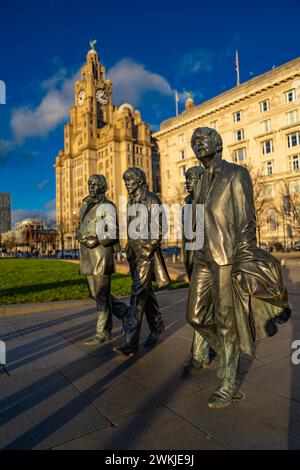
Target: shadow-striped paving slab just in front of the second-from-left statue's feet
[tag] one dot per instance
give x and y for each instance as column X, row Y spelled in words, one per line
column 116, row 390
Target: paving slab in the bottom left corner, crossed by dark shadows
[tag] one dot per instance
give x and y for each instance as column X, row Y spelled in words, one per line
column 42, row 409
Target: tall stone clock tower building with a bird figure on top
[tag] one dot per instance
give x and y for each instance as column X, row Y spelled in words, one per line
column 100, row 138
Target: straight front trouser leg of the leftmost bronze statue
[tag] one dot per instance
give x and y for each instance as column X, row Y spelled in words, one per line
column 100, row 291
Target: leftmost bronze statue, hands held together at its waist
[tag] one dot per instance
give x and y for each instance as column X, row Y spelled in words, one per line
column 98, row 237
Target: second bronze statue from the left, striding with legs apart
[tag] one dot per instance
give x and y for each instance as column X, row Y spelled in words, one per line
column 145, row 260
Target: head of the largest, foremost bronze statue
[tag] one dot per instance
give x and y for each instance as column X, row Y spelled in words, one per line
column 206, row 143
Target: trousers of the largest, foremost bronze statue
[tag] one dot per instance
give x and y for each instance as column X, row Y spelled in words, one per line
column 211, row 285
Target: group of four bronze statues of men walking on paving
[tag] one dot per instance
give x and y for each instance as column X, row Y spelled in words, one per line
column 236, row 294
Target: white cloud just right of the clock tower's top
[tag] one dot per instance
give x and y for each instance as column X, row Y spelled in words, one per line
column 131, row 81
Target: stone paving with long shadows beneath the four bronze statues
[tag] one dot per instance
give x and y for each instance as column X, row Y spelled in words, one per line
column 63, row 395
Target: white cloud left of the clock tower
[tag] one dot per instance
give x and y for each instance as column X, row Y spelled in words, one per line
column 52, row 110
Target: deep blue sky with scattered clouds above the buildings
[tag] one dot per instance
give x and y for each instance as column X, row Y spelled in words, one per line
column 148, row 48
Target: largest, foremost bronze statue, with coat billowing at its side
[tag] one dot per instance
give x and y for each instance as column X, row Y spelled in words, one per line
column 242, row 282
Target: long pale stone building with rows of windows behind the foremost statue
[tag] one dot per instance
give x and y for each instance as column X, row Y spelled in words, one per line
column 259, row 122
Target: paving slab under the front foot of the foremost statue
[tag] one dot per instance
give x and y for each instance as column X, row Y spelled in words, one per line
column 261, row 421
